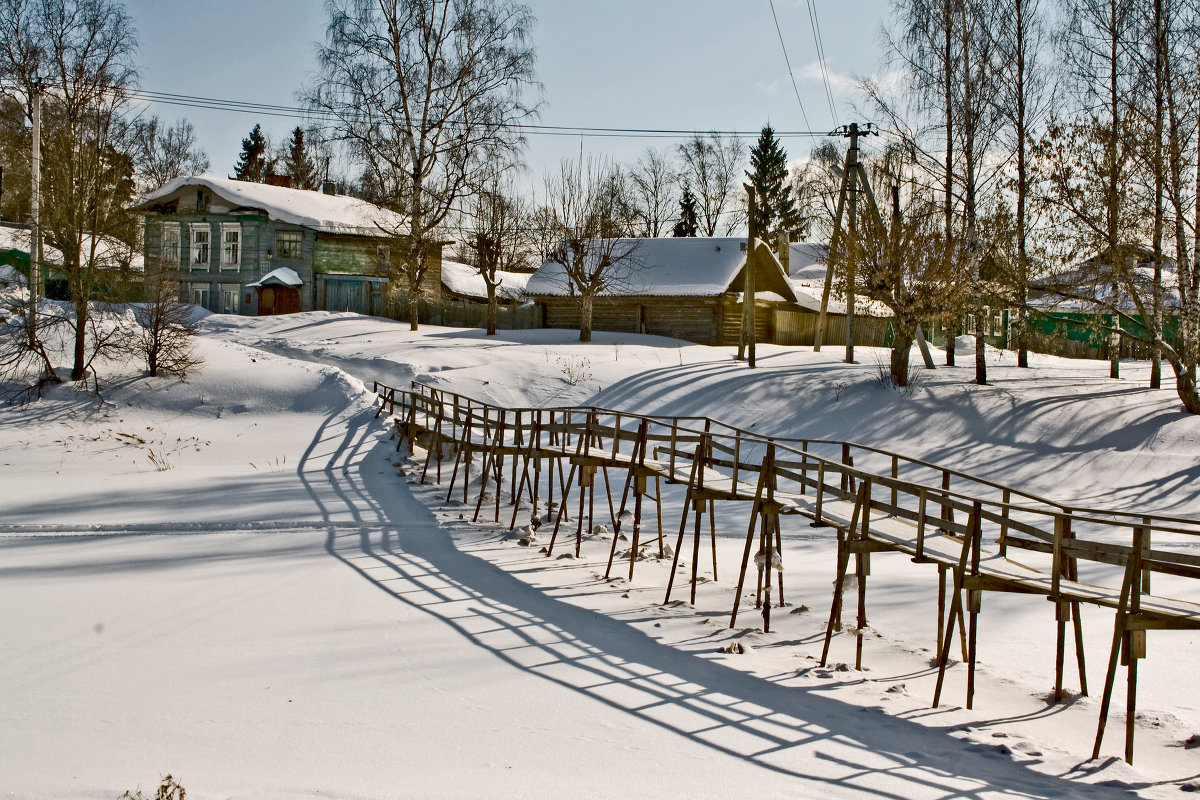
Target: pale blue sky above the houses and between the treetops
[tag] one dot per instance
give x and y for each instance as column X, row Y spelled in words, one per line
column 645, row 64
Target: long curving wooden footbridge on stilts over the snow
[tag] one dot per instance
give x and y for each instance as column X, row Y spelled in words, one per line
column 873, row 501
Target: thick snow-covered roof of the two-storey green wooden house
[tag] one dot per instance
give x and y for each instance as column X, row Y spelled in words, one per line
column 326, row 213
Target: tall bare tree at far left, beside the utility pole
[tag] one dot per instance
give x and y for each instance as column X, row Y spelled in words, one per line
column 79, row 55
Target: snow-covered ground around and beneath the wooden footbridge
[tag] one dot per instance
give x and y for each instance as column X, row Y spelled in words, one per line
column 236, row 580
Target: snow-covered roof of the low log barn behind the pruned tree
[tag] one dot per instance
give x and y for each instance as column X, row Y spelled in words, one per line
column 674, row 268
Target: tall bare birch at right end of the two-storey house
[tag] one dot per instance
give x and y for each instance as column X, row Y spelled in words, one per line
column 428, row 95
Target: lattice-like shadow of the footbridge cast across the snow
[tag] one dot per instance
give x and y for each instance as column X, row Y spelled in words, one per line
column 788, row 730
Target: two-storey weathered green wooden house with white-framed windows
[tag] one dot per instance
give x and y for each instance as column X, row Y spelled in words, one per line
column 223, row 236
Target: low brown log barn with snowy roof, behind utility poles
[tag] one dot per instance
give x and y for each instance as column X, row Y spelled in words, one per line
column 685, row 288
